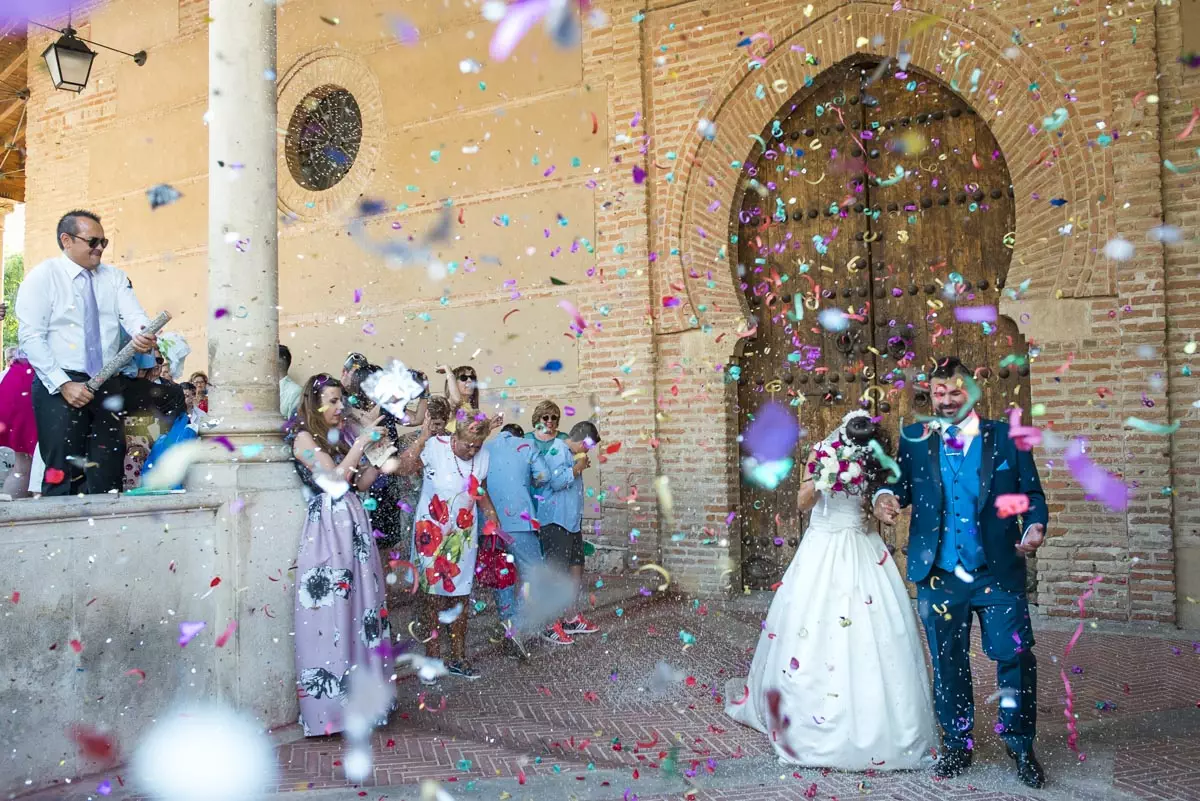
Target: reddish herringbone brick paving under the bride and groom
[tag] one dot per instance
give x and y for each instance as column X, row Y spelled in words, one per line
column 586, row 722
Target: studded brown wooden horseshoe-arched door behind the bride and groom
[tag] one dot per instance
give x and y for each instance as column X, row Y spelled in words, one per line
column 884, row 195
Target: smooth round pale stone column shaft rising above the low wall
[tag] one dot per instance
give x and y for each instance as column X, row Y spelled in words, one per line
column 243, row 225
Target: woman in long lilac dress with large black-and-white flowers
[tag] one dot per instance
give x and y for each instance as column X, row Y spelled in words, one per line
column 341, row 619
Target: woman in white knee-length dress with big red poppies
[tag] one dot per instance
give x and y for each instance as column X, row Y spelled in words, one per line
column 454, row 495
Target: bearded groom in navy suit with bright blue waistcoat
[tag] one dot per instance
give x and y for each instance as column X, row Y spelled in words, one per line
column 967, row 559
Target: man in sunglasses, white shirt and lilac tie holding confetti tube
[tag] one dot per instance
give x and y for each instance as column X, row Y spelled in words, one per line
column 71, row 311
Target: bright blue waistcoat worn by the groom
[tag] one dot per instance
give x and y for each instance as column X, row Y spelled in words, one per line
column 962, row 540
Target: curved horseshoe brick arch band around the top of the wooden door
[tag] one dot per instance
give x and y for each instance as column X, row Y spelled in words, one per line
column 745, row 103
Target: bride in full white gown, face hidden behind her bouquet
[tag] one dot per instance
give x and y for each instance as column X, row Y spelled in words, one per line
column 839, row 677
